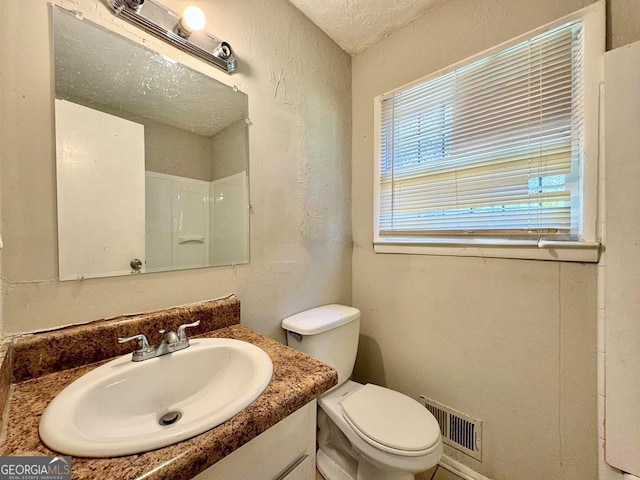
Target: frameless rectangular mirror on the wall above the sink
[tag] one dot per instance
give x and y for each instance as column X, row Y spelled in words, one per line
column 151, row 158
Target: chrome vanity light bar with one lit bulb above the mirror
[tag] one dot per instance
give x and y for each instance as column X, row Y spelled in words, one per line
column 182, row 31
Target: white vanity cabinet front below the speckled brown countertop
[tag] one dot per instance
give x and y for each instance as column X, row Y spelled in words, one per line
column 286, row 451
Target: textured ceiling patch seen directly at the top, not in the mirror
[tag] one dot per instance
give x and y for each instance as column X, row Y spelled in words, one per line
column 358, row 24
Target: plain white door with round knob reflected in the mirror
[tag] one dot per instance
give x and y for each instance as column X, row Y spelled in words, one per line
column 101, row 202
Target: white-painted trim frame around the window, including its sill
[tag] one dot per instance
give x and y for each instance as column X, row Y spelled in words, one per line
column 588, row 249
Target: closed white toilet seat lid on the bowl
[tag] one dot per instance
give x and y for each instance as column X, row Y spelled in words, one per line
column 391, row 419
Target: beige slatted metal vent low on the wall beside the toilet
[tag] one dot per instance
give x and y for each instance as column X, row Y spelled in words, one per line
column 458, row 430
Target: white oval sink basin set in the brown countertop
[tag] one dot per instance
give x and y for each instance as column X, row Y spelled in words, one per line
column 117, row 408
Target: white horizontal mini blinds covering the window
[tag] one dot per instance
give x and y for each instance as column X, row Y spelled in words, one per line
column 493, row 149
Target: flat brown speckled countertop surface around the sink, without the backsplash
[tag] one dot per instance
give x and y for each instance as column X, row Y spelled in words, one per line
column 297, row 380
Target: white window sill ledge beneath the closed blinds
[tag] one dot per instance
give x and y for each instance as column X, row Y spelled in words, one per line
column 588, row 252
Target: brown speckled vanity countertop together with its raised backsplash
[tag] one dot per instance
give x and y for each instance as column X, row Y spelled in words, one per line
column 297, row 380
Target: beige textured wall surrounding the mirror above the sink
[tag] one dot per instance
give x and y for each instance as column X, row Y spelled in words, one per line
column 298, row 82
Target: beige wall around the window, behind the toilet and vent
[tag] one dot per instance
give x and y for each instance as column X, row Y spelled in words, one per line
column 510, row 342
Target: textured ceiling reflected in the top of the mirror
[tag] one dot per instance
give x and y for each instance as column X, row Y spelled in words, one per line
column 103, row 68
